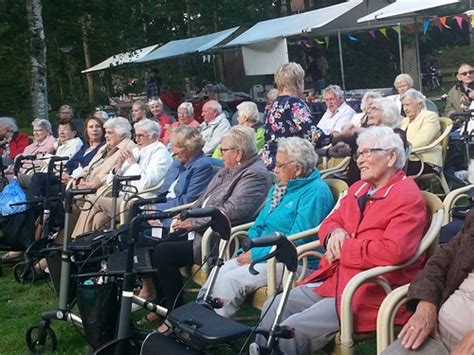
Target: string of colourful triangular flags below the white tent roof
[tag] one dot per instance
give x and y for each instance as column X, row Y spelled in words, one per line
column 424, row 26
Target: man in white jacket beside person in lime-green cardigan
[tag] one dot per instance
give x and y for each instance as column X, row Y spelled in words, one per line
column 215, row 125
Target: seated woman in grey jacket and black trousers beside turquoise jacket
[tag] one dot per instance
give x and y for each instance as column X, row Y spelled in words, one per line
column 239, row 190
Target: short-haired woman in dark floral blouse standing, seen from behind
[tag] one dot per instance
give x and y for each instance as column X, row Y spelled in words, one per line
column 289, row 115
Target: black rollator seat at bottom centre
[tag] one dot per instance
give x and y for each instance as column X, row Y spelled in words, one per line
column 205, row 327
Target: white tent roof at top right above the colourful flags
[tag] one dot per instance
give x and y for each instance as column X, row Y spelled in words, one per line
column 407, row 8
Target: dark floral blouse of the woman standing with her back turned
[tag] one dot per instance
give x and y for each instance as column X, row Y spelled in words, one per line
column 288, row 117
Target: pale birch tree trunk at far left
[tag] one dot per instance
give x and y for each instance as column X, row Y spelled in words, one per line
column 39, row 88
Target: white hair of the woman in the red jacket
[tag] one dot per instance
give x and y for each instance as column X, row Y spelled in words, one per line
column 384, row 138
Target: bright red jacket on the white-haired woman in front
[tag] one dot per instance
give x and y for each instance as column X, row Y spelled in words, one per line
column 389, row 233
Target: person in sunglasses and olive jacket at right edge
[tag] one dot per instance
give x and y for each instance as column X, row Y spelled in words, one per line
column 461, row 95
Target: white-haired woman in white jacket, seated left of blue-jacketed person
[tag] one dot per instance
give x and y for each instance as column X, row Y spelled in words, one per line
column 150, row 159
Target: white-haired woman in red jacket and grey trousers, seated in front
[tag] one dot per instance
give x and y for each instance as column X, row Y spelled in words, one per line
column 380, row 222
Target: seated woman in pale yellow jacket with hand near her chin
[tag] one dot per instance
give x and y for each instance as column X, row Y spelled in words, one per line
column 422, row 127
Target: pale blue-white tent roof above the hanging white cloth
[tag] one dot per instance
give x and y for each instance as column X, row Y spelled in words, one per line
column 293, row 25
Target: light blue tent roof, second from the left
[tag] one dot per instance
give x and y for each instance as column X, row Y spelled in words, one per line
column 188, row 46
